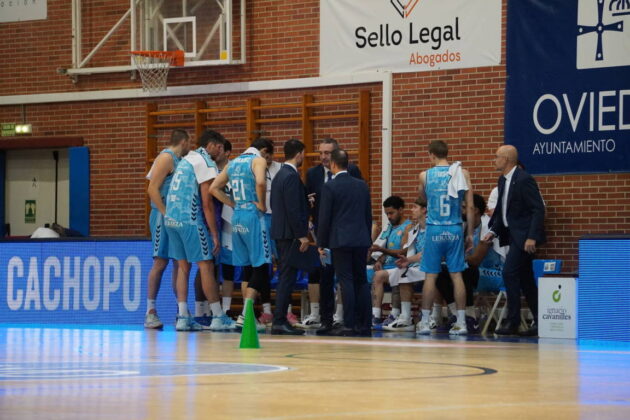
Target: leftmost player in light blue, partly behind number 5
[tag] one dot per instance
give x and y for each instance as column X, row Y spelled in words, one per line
column 160, row 177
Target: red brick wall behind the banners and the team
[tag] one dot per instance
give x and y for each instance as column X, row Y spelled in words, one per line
column 463, row 107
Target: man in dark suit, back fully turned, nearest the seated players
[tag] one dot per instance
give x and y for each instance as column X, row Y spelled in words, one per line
column 345, row 224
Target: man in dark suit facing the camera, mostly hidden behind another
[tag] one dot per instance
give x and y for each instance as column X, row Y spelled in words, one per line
column 316, row 177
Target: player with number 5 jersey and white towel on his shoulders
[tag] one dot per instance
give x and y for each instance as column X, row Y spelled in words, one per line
column 189, row 213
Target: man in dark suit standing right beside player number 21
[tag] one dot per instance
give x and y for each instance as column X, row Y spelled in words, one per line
column 289, row 223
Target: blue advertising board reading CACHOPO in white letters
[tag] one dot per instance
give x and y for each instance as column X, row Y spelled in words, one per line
column 82, row 282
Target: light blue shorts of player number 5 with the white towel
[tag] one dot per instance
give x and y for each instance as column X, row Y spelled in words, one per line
column 190, row 242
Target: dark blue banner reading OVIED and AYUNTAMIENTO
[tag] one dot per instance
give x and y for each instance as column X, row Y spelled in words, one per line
column 567, row 107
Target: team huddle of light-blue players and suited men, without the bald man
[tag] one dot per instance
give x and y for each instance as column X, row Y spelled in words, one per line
column 221, row 213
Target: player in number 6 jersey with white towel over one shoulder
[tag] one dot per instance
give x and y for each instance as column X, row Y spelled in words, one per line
column 444, row 187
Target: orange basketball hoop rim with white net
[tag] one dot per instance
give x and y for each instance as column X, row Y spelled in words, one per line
column 153, row 67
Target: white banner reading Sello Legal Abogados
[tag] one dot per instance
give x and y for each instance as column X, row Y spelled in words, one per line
column 408, row 35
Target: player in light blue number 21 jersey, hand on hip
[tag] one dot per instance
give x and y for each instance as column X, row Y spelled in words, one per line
column 246, row 176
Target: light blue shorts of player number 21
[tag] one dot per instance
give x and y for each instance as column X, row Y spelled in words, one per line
column 250, row 238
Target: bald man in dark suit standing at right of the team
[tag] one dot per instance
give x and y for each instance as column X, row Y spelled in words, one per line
column 518, row 222
